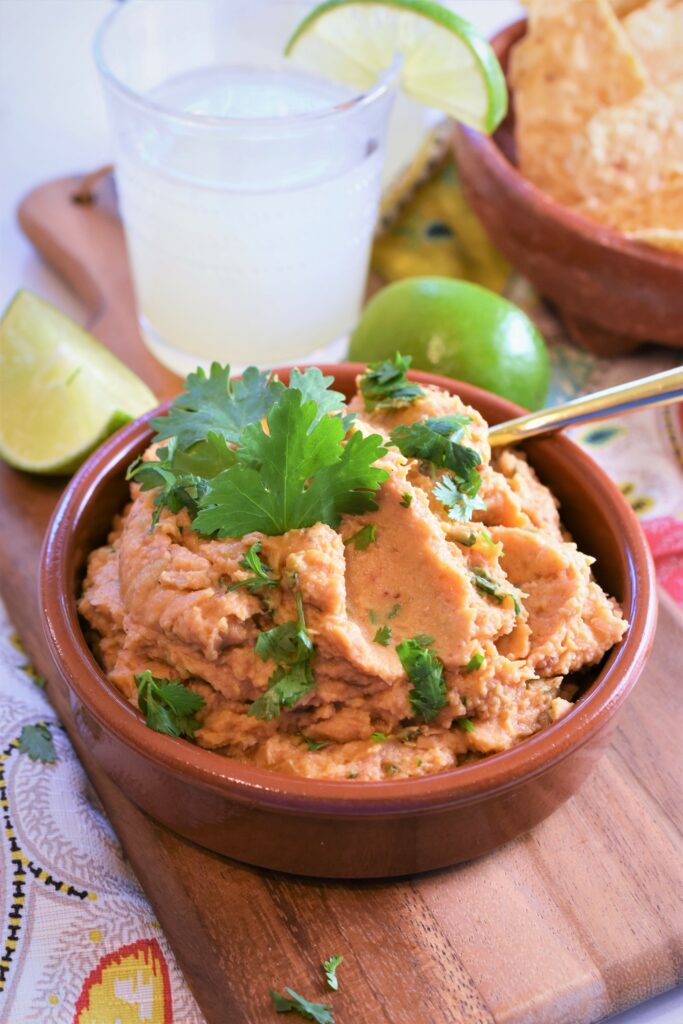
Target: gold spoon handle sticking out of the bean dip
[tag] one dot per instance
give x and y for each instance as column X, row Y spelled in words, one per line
column 660, row 390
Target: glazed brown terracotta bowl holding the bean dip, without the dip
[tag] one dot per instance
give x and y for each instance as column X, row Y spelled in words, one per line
column 350, row 830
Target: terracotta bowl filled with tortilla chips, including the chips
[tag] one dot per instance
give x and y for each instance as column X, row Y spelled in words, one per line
column 613, row 291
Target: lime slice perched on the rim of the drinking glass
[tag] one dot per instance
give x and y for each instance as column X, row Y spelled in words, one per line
column 446, row 63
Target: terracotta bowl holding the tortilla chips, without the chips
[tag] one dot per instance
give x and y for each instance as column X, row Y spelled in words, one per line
column 613, row 293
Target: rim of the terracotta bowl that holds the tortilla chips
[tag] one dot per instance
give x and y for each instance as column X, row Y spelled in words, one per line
column 591, row 232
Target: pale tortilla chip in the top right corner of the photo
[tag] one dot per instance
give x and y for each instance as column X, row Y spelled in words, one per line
column 657, row 34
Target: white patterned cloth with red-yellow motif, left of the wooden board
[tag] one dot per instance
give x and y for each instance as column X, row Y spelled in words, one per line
column 79, row 944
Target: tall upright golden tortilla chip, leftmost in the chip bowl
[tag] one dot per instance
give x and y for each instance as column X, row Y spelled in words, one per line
column 575, row 60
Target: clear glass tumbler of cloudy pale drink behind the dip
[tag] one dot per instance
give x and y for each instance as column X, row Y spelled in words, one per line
column 249, row 191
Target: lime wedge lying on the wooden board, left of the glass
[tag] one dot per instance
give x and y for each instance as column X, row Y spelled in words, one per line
column 62, row 394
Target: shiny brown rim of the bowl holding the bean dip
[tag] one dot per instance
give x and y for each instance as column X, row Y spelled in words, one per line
column 248, row 785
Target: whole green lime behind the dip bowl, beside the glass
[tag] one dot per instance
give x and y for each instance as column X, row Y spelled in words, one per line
column 459, row 330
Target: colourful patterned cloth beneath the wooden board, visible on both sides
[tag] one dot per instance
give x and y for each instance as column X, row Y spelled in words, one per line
column 80, row 944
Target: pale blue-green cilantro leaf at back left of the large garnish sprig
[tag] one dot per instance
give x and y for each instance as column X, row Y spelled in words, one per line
column 218, row 405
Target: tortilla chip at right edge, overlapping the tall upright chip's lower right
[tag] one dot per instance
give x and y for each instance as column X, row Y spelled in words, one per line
column 630, row 150
